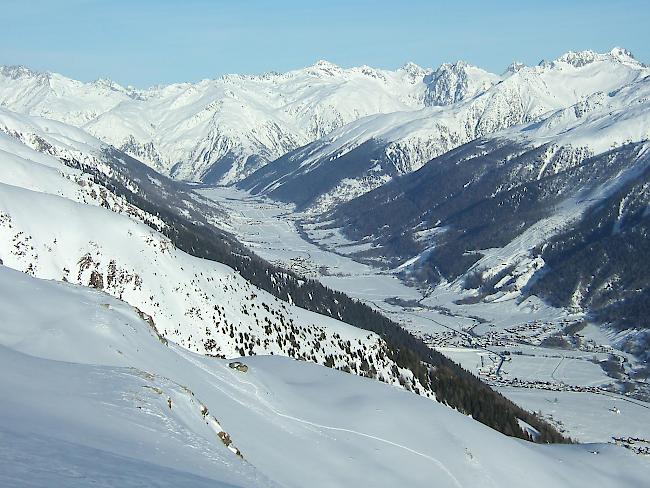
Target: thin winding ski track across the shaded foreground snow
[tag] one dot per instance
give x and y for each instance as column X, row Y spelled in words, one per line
column 276, row 412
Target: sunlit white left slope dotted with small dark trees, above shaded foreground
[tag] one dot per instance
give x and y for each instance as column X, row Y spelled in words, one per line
column 57, row 223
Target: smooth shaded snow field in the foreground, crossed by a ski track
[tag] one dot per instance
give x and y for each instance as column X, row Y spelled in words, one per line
column 92, row 396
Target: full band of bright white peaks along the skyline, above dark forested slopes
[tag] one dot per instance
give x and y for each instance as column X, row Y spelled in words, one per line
column 224, row 129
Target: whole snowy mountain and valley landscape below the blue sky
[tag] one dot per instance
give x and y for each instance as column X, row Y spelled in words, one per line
column 328, row 276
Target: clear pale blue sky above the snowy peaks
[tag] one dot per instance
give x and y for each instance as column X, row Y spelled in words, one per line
column 148, row 42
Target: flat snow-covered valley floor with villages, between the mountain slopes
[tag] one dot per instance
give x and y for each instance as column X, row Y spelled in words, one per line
column 570, row 388
